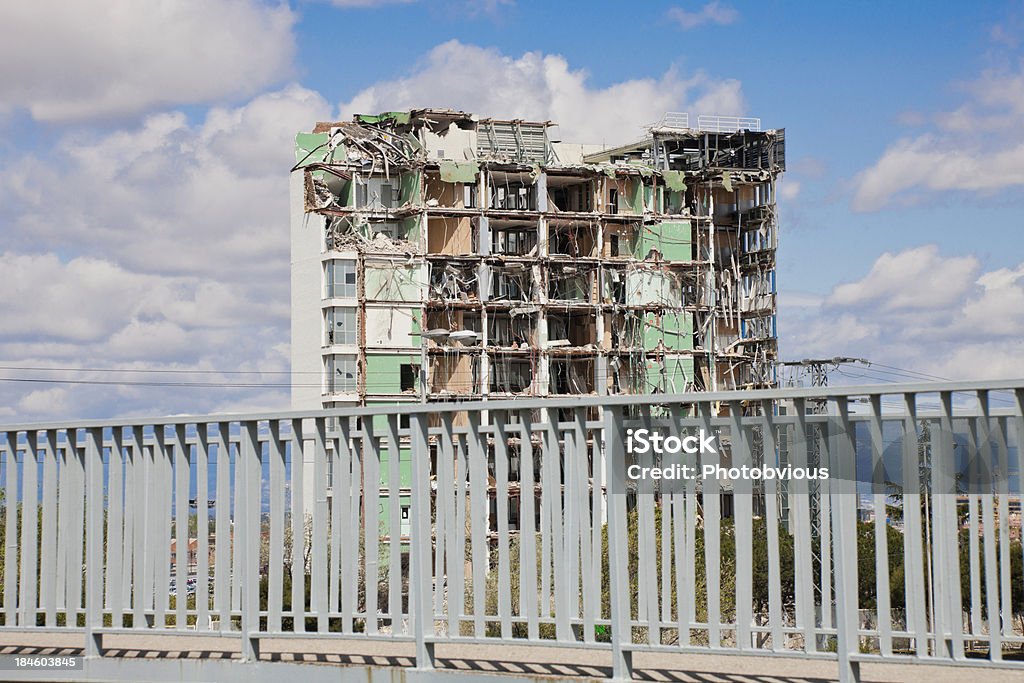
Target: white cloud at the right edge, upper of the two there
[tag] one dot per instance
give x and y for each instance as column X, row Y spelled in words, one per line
column 977, row 148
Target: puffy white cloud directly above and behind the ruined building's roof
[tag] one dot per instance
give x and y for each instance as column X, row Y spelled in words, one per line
column 543, row 88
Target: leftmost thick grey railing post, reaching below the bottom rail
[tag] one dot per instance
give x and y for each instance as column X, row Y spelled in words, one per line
column 94, row 541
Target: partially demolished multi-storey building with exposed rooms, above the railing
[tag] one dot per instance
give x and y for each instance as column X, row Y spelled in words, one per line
column 439, row 257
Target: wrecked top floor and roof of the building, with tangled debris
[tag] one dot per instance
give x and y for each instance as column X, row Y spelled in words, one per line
column 449, row 139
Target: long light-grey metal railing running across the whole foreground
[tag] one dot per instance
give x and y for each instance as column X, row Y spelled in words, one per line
column 519, row 523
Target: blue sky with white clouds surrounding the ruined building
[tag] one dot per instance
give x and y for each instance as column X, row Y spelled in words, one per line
column 145, row 151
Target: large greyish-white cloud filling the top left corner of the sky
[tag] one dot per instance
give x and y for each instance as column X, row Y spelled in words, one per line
column 111, row 59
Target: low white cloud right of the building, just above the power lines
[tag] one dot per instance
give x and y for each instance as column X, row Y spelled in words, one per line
column 917, row 310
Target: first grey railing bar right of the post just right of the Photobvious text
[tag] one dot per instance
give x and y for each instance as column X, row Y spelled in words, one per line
column 880, row 501
